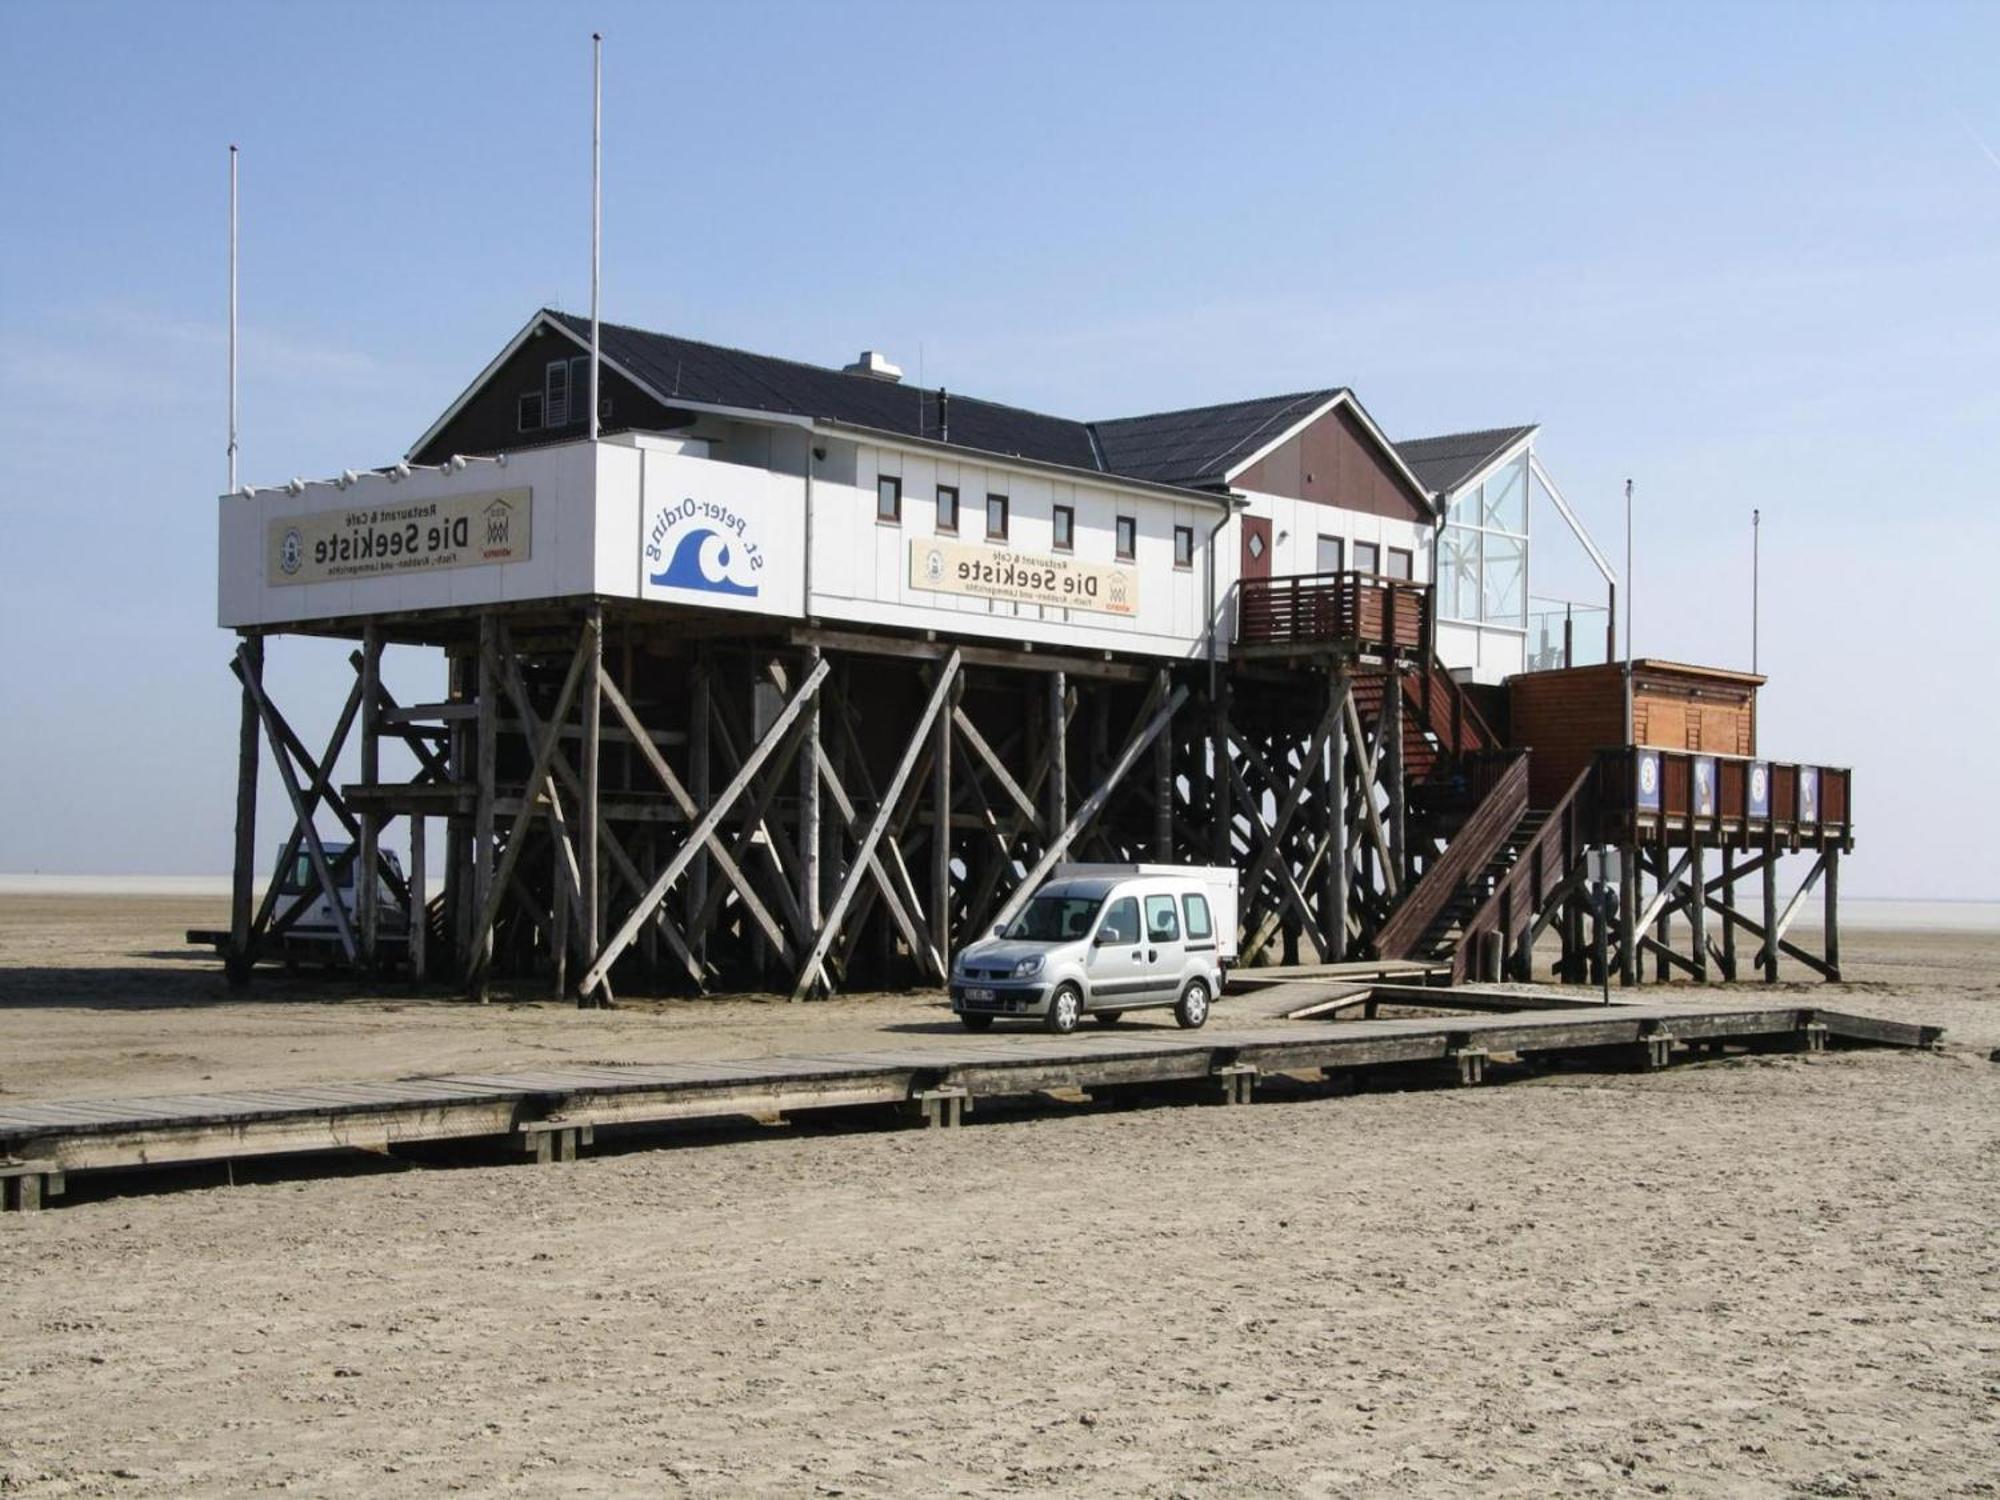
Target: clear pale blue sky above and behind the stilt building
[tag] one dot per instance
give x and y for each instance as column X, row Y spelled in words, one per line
column 1743, row 255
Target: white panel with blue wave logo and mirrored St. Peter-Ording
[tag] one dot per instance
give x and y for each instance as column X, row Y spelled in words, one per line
column 725, row 537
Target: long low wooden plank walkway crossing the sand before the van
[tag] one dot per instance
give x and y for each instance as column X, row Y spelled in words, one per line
column 551, row 1111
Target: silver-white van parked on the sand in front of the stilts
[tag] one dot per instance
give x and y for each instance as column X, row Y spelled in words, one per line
column 1101, row 941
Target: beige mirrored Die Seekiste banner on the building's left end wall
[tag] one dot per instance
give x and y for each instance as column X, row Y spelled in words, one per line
column 461, row 531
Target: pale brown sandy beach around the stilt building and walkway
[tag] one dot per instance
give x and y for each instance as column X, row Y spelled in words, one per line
column 1761, row 1277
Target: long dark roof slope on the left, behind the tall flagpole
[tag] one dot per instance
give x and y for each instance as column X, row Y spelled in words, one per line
column 761, row 383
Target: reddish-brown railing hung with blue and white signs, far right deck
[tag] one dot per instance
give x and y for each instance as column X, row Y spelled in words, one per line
column 1723, row 797
